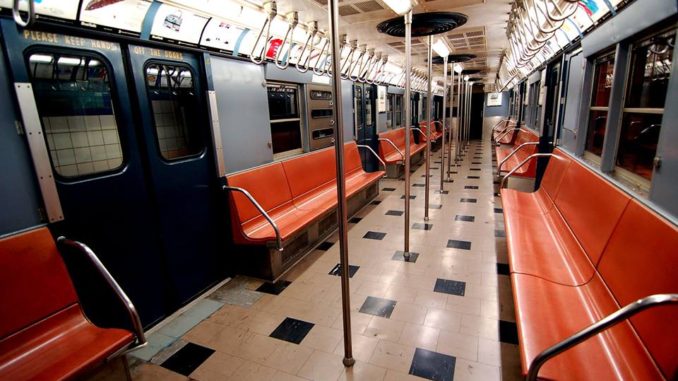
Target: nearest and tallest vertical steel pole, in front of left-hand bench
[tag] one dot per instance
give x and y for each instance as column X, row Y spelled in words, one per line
column 333, row 11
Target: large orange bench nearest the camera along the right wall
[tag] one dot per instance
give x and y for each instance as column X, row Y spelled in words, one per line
column 580, row 249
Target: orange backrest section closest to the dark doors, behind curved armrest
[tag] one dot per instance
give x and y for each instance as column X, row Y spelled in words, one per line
column 267, row 184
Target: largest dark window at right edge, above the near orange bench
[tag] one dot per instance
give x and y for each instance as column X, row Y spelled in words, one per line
column 646, row 93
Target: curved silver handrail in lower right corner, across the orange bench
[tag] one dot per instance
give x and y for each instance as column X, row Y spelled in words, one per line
column 607, row 322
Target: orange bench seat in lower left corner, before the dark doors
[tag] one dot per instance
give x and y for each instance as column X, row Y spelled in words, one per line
column 44, row 333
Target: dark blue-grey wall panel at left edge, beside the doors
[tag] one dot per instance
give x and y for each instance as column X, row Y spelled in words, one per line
column 18, row 189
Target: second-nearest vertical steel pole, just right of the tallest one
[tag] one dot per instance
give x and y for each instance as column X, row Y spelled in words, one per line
column 408, row 123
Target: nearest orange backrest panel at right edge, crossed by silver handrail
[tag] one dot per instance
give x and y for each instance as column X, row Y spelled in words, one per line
column 641, row 259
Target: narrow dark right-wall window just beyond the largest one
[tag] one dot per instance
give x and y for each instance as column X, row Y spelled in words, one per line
column 600, row 100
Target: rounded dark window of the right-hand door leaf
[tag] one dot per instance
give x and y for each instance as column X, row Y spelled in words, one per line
column 174, row 103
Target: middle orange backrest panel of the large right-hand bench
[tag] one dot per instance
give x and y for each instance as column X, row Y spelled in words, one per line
column 591, row 206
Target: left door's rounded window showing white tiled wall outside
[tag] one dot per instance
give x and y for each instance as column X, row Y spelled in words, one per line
column 74, row 101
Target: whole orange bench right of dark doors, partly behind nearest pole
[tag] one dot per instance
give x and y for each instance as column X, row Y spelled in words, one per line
column 294, row 192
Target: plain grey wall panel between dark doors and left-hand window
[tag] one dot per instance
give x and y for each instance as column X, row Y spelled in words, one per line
column 243, row 112
